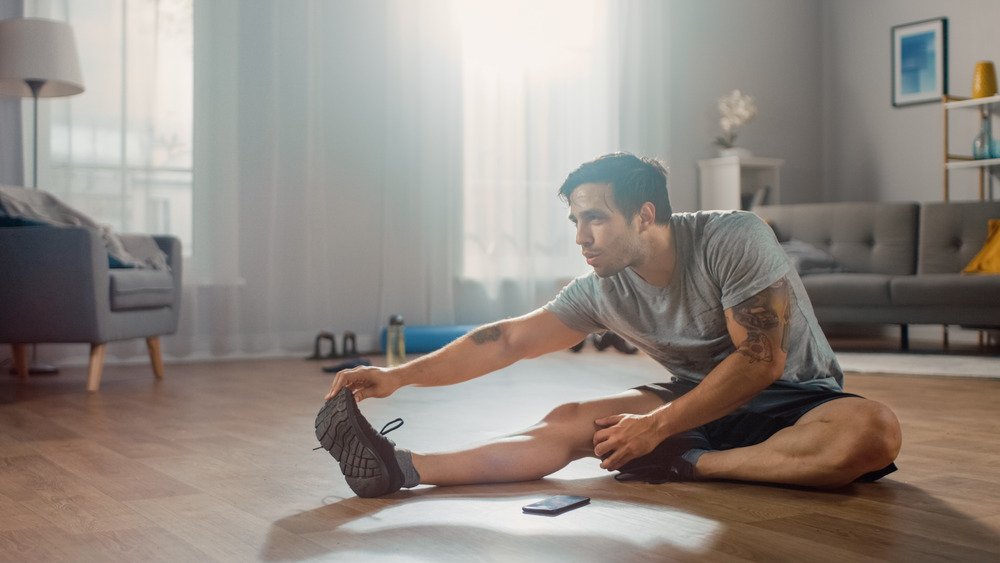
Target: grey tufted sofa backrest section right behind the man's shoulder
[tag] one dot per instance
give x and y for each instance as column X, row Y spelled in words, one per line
column 863, row 237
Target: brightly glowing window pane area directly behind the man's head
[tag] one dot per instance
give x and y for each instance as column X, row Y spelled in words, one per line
column 539, row 98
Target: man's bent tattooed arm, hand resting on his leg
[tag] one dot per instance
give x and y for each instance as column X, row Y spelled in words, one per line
column 759, row 330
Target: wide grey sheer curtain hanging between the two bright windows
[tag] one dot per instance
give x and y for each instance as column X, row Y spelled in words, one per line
column 327, row 163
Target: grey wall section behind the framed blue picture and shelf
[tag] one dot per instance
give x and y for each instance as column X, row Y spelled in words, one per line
column 873, row 151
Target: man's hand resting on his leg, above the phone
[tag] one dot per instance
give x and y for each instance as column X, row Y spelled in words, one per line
column 625, row 437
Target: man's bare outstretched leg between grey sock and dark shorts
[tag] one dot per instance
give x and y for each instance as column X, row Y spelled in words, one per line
column 564, row 435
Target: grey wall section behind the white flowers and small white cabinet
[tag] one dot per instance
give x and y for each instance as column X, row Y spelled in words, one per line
column 766, row 48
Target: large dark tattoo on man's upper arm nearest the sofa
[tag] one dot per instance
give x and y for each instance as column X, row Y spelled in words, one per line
column 760, row 316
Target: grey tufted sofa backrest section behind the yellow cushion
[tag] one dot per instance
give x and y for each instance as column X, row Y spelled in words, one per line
column 951, row 233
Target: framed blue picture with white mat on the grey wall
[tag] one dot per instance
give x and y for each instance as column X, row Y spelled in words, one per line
column 919, row 62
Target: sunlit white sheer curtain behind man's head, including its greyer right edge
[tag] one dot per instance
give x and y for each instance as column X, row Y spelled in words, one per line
column 546, row 86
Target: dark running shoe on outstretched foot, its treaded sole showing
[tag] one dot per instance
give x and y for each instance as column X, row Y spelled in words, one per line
column 367, row 458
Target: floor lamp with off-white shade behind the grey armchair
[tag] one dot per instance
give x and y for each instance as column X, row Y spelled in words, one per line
column 38, row 60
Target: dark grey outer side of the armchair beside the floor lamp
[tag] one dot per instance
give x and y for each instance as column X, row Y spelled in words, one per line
column 55, row 286
